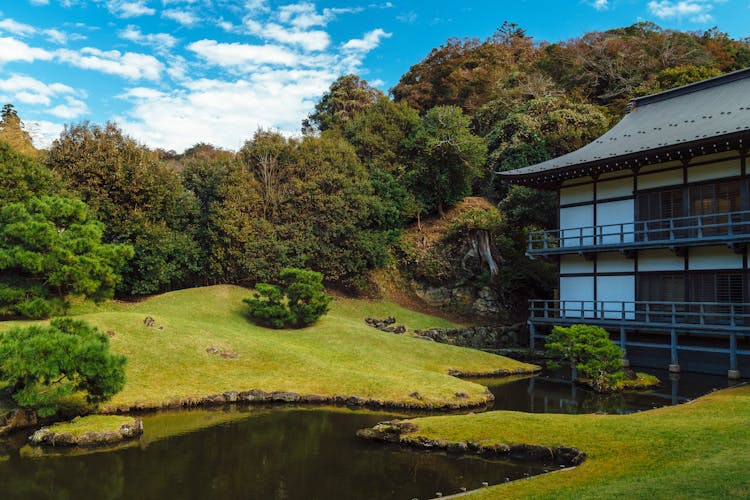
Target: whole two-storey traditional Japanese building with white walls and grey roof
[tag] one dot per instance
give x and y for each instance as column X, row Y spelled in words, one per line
column 653, row 229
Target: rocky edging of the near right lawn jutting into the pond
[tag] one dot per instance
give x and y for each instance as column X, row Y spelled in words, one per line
column 403, row 432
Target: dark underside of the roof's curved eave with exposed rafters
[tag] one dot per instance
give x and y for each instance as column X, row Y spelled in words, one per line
column 552, row 178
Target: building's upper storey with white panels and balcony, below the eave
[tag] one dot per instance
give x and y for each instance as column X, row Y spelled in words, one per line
column 671, row 205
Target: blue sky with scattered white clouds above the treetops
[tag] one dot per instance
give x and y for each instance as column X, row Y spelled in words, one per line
column 175, row 72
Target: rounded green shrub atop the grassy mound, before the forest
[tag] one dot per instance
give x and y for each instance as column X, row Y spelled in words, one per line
column 299, row 300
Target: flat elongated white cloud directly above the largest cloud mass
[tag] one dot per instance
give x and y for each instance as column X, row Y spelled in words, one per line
column 243, row 55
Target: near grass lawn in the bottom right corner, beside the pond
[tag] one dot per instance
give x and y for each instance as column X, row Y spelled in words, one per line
column 695, row 450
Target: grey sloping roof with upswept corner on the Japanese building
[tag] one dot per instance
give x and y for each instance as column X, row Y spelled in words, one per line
column 711, row 111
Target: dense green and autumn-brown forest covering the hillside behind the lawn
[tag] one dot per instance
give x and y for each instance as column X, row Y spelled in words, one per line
column 124, row 219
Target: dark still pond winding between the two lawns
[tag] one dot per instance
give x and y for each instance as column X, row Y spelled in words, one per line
column 290, row 453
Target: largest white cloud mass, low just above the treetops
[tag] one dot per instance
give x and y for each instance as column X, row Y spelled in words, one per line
column 224, row 113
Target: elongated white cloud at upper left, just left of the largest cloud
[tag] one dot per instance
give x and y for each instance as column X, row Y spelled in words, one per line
column 130, row 65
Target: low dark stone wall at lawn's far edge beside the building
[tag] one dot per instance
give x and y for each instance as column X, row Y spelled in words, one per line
column 479, row 337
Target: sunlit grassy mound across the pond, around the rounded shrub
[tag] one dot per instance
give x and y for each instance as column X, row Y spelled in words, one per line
column 339, row 355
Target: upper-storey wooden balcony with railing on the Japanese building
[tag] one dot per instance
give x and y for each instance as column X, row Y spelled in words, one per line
column 731, row 229
